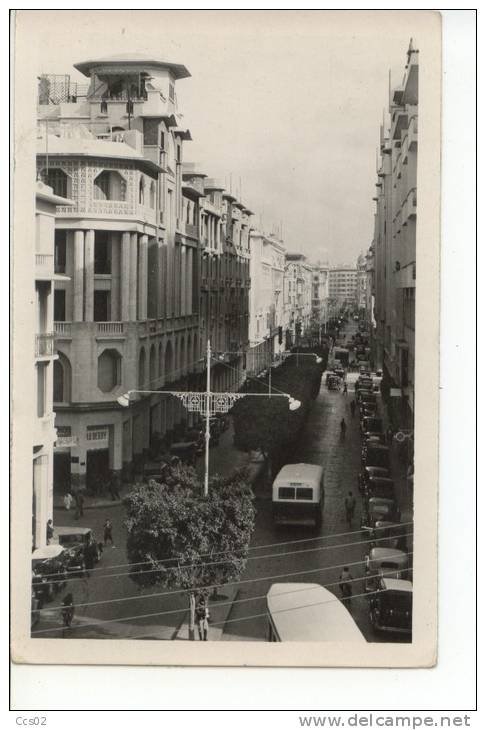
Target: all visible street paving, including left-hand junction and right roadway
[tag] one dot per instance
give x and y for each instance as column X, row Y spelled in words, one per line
column 109, row 604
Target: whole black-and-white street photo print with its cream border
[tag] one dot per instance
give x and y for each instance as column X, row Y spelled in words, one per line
column 226, row 304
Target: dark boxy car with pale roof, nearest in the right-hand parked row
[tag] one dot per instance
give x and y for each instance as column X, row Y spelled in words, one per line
column 391, row 606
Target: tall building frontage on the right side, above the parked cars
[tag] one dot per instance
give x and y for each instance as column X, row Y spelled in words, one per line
column 395, row 240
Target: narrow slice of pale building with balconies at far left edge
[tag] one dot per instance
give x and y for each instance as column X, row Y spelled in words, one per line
column 43, row 432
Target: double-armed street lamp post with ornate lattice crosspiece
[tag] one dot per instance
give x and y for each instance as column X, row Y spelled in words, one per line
column 207, row 404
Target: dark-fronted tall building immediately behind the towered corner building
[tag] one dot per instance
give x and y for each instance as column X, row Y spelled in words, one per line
column 225, row 283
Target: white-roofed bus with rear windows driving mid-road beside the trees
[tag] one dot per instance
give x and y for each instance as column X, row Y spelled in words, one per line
column 298, row 495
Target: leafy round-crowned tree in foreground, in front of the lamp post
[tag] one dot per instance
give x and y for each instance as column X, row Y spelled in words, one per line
column 181, row 539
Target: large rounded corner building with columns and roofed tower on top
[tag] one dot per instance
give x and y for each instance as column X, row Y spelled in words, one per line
column 128, row 317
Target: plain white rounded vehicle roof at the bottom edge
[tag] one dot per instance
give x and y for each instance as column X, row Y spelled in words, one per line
column 308, row 612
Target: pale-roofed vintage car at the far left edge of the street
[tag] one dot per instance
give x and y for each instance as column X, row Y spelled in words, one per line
column 49, row 570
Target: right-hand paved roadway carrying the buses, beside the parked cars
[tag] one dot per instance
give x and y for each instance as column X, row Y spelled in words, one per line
column 310, row 560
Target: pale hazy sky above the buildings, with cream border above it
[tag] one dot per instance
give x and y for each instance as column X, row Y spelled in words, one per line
column 288, row 102
